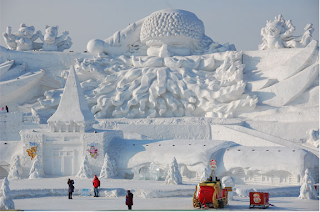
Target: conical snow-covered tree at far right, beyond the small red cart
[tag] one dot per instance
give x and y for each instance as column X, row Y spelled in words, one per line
column 307, row 190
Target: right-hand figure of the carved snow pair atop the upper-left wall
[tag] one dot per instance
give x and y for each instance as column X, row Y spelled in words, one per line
column 51, row 41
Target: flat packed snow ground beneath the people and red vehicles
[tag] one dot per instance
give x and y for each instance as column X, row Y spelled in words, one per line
column 51, row 194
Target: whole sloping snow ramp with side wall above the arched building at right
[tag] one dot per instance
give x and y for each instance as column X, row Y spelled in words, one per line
column 250, row 137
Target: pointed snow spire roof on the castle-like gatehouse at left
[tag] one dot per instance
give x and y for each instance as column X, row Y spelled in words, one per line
column 73, row 114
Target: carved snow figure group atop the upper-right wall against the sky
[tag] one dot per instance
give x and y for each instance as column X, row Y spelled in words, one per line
column 278, row 34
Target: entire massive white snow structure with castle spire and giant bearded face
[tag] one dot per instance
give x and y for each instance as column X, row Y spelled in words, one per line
column 162, row 89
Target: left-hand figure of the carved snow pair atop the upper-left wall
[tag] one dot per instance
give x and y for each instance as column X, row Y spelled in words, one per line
column 23, row 40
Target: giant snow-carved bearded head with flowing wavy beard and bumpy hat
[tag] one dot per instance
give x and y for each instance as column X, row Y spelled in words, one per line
column 163, row 66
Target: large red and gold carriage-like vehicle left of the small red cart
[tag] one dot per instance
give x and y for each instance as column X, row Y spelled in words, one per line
column 210, row 194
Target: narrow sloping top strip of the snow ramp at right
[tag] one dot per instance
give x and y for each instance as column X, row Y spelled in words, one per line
column 271, row 138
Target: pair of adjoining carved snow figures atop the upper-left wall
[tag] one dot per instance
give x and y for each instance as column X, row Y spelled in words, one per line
column 24, row 39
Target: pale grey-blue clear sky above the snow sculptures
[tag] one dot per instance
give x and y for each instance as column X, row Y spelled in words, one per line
column 235, row 21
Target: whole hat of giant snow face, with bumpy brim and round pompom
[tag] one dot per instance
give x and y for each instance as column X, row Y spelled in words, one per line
column 164, row 33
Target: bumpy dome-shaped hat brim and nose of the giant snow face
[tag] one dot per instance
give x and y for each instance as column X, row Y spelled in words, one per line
column 171, row 32
